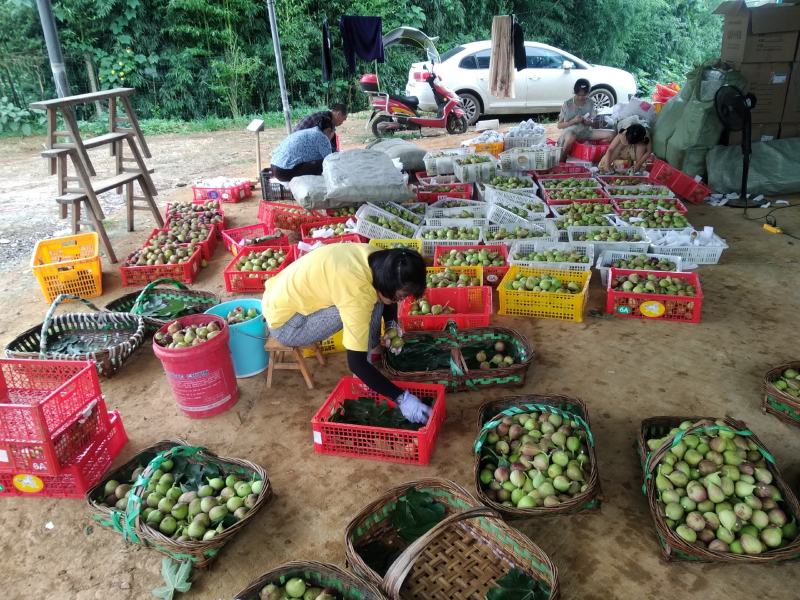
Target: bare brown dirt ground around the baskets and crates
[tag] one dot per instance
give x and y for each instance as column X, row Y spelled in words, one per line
column 624, row 370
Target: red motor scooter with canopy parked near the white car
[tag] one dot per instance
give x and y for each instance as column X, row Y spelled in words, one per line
column 392, row 113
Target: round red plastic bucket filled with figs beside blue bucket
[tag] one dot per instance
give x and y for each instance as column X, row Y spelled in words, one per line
column 201, row 377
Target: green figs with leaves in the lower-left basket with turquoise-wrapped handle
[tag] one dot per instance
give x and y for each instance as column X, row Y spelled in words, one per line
column 188, row 501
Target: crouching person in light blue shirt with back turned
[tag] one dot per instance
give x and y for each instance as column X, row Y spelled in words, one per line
column 301, row 153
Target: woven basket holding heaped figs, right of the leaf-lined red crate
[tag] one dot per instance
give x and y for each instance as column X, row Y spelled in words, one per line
column 489, row 416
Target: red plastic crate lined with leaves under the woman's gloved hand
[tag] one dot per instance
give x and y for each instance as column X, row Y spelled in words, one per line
column 378, row 443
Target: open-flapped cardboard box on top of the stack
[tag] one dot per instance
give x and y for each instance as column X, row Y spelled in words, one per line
column 762, row 34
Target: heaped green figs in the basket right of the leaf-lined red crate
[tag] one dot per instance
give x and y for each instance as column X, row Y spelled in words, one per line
column 535, row 459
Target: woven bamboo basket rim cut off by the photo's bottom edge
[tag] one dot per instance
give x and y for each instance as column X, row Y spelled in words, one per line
column 346, row 585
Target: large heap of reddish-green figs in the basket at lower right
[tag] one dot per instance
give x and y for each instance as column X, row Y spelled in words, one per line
column 716, row 490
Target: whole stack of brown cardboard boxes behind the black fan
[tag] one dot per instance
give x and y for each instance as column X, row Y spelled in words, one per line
column 762, row 43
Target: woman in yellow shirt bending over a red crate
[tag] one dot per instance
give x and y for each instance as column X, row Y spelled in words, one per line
column 348, row 287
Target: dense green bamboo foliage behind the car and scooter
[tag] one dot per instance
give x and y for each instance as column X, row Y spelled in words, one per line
column 194, row 59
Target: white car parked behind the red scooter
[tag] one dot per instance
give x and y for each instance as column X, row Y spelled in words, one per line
column 542, row 87
